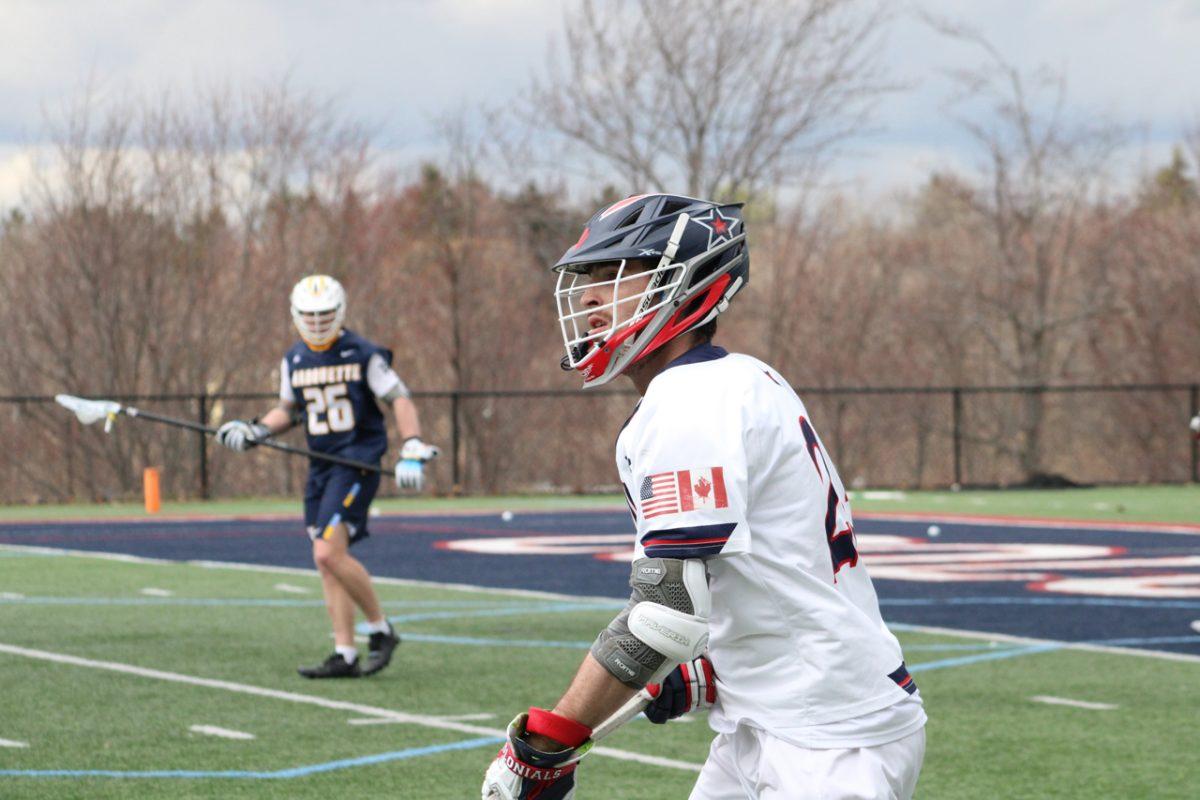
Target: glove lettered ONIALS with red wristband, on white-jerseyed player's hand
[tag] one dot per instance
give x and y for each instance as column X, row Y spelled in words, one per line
column 520, row 772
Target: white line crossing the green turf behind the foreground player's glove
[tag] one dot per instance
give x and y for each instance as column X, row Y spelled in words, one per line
column 310, row 700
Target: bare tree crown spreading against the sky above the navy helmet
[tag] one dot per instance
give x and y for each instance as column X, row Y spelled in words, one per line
column 715, row 97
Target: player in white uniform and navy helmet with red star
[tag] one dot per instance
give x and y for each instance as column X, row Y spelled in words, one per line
column 745, row 539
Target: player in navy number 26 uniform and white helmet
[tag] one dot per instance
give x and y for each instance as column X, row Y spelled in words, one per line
column 331, row 380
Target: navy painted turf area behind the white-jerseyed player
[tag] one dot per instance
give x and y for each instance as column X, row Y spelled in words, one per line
column 406, row 548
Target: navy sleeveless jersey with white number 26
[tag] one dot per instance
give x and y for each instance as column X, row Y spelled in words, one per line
column 340, row 412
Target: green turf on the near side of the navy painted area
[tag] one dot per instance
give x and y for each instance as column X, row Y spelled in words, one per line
column 469, row 654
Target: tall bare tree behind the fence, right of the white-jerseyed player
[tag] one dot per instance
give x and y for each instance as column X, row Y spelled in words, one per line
column 1036, row 273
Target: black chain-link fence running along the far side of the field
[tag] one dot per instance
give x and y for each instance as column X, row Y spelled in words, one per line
column 562, row 442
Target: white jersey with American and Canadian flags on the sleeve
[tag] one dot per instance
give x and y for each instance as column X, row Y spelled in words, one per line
column 721, row 462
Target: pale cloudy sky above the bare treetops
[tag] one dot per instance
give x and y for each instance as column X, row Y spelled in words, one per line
column 399, row 64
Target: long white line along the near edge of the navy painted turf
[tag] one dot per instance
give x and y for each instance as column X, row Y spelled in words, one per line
column 550, row 596
